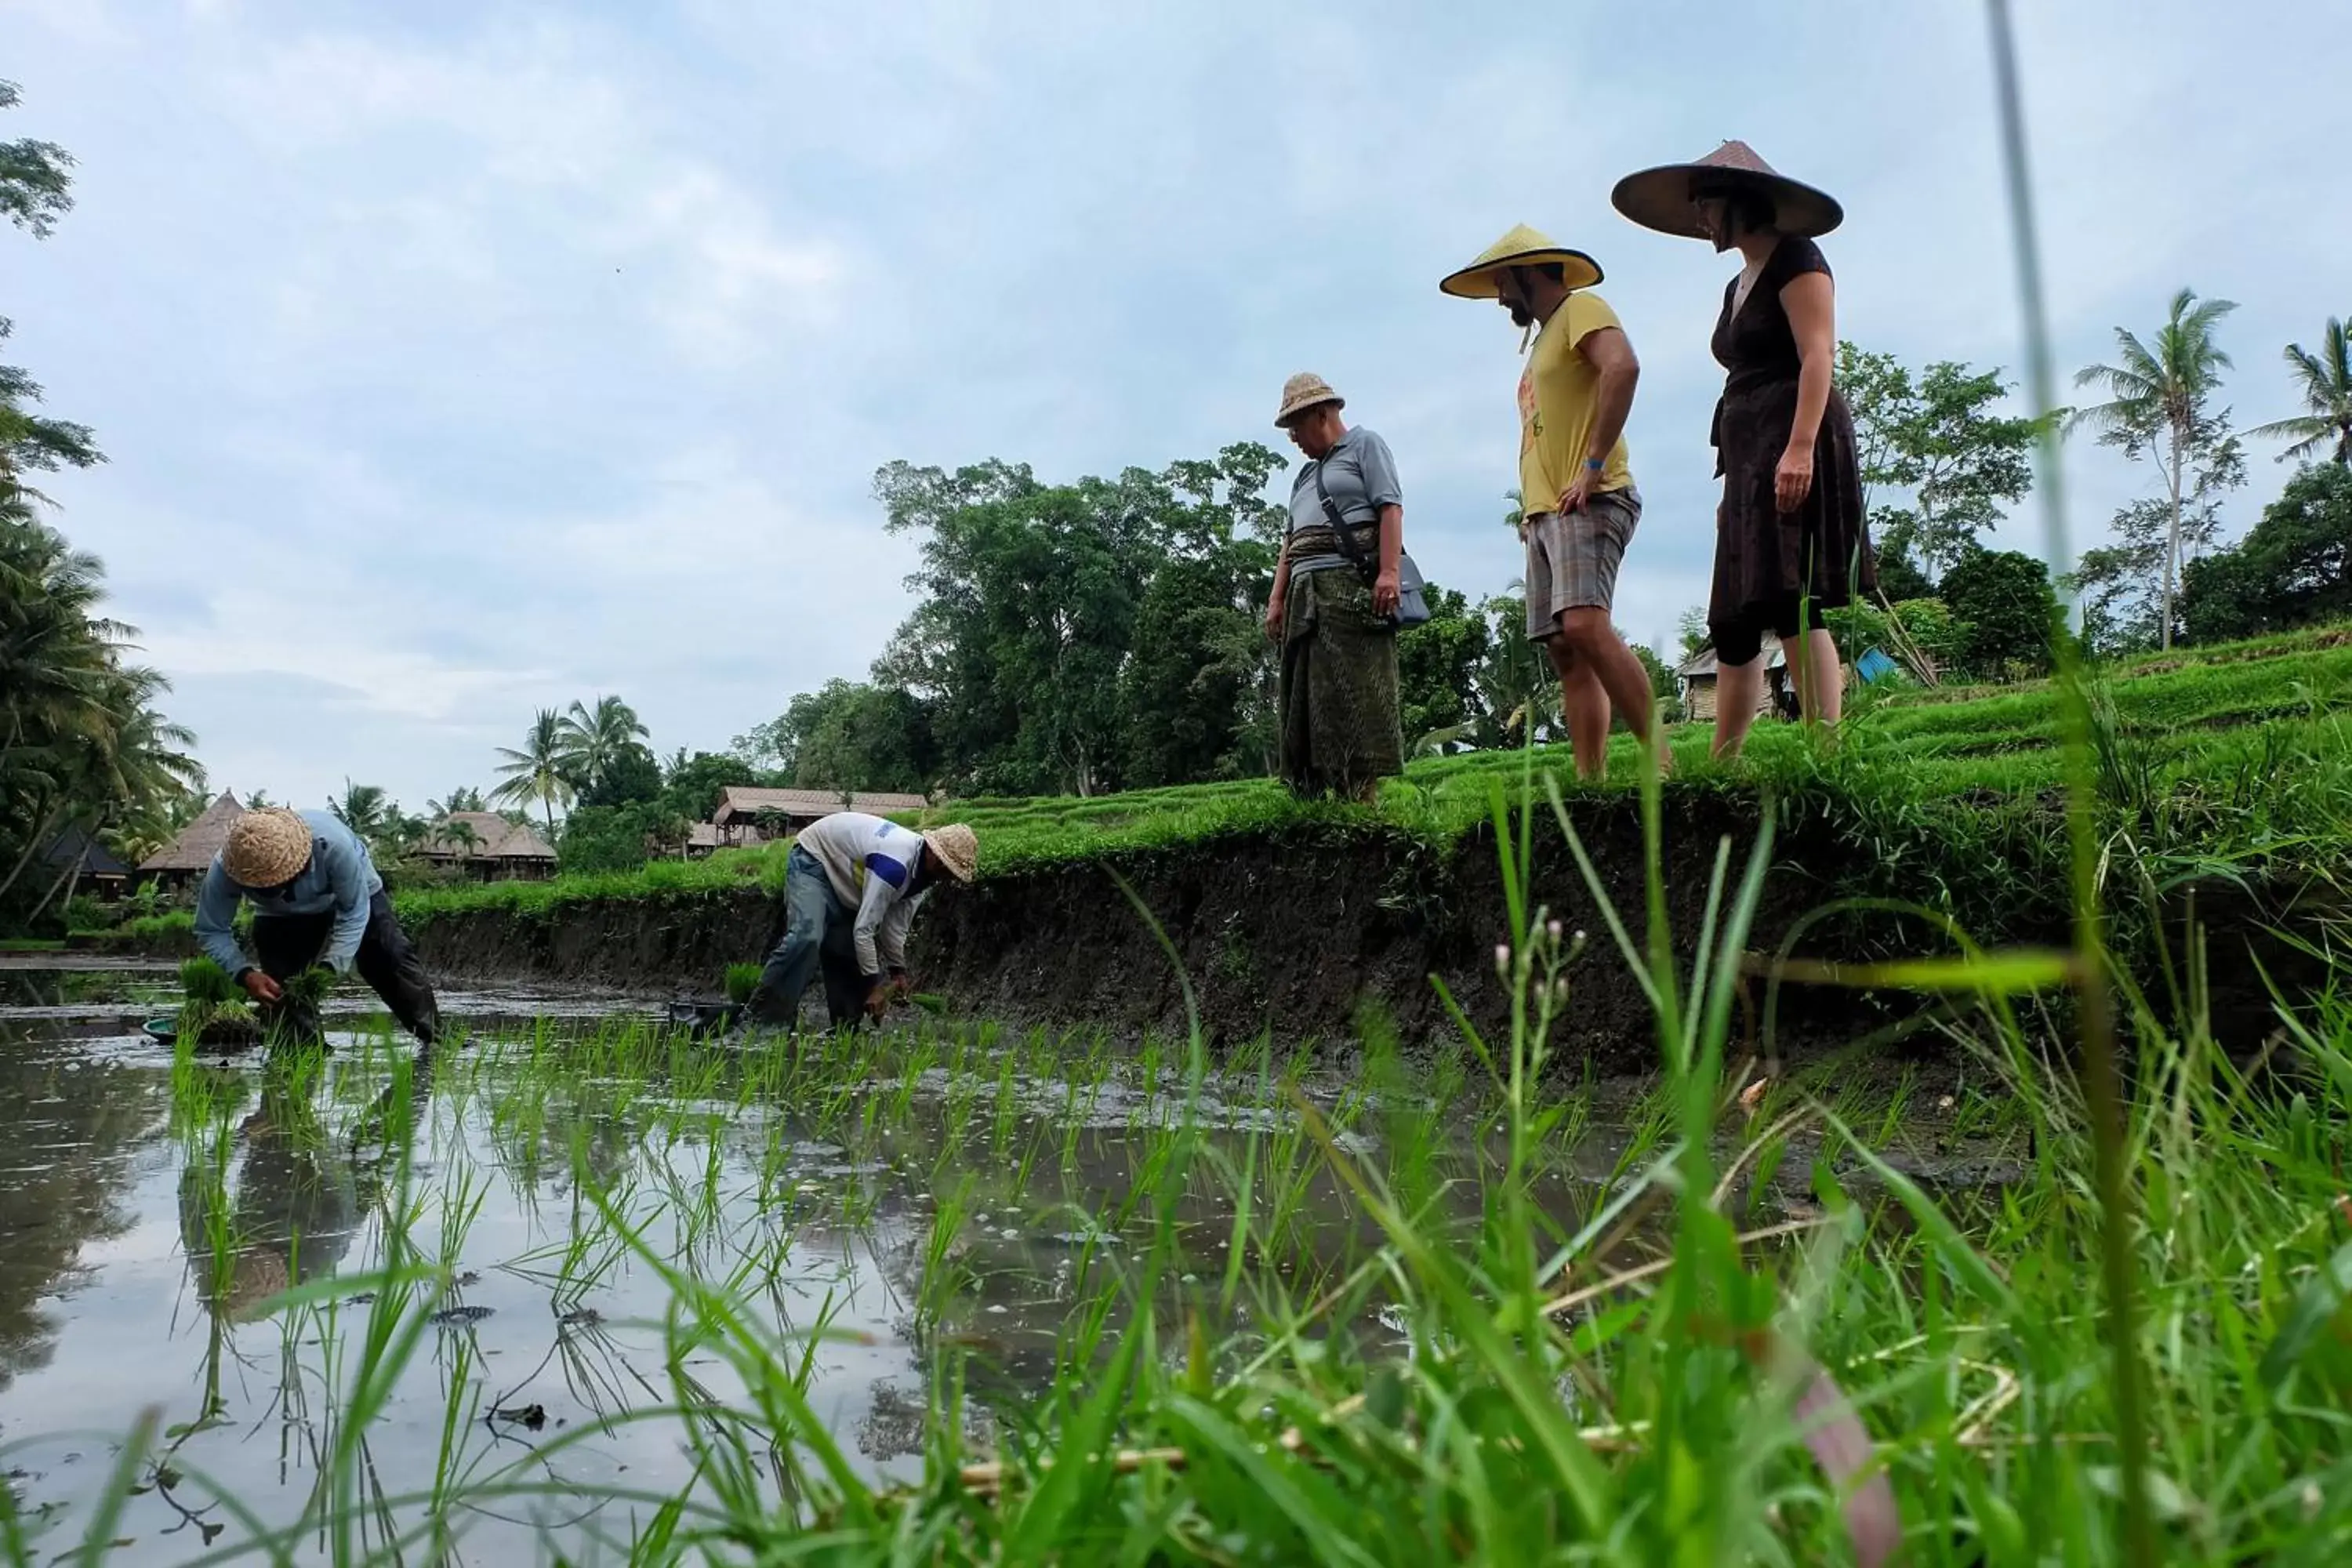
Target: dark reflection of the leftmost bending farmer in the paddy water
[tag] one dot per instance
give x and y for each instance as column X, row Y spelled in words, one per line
column 290, row 1217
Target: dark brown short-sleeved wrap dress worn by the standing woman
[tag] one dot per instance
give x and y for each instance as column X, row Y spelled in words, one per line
column 1770, row 561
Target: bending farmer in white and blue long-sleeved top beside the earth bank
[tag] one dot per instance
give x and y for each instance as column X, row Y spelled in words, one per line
column 850, row 892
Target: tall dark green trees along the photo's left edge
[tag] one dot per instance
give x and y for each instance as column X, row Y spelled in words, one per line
column 86, row 753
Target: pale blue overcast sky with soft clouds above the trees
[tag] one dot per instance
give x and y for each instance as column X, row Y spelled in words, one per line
column 465, row 359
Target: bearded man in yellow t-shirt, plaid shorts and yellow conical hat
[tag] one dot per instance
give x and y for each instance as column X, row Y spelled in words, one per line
column 1577, row 492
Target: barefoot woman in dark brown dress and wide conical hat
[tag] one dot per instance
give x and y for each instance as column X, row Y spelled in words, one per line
column 1791, row 540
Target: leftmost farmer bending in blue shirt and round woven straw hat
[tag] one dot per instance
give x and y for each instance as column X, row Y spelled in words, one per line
column 316, row 902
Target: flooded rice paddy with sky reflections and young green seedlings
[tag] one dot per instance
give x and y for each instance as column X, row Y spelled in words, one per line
column 540, row 1285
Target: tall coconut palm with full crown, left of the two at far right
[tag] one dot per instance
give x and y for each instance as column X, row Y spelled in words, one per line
column 2158, row 406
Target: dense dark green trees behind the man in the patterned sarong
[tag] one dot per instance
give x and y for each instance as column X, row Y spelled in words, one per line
column 1109, row 636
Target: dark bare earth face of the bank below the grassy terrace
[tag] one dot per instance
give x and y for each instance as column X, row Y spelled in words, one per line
column 1314, row 930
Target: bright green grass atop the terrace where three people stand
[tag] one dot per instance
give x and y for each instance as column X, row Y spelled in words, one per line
column 2252, row 735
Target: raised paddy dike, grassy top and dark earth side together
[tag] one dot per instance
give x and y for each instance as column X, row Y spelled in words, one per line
column 2224, row 793
